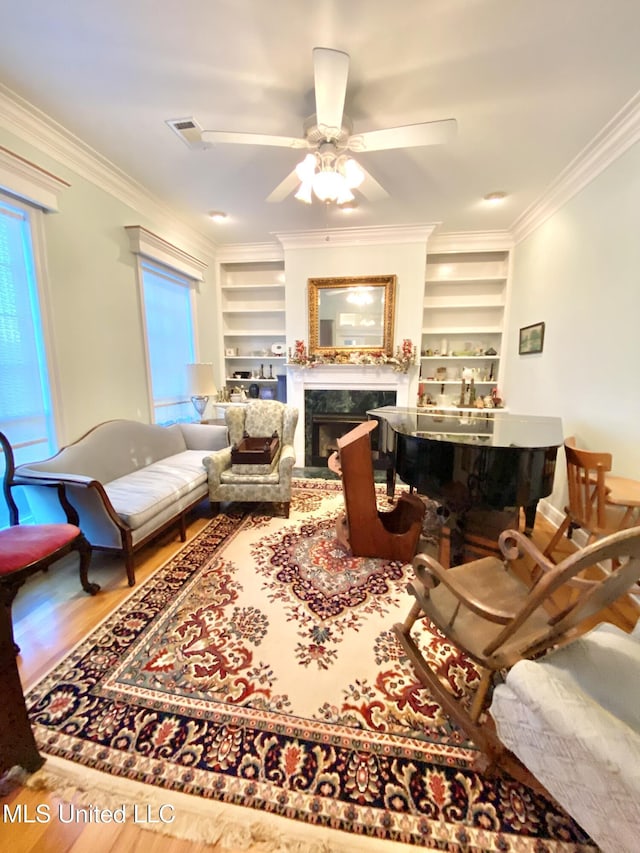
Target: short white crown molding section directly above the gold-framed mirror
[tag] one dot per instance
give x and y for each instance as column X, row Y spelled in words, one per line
column 374, row 236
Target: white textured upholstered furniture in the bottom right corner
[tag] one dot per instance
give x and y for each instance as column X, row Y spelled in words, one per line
column 573, row 719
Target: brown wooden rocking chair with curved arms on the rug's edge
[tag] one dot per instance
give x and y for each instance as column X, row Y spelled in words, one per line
column 496, row 619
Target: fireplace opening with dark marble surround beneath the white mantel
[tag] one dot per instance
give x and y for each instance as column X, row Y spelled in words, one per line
column 330, row 414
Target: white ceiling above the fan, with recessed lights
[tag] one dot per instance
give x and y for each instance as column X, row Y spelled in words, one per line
column 530, row 82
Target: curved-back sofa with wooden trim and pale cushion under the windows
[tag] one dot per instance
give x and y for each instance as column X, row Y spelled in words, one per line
column 126, row 480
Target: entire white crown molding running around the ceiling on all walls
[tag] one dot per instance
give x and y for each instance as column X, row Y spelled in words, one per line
column 38, row 129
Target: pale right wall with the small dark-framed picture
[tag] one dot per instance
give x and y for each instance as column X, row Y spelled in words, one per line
column 579, row 273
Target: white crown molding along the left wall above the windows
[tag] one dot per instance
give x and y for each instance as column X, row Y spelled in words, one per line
column 40, row 130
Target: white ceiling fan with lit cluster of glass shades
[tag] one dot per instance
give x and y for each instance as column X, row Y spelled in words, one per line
column 327, row 171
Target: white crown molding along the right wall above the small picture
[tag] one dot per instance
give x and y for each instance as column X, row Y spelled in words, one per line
column 616, row 137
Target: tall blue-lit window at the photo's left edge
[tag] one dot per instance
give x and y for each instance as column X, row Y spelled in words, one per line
column 25, row 402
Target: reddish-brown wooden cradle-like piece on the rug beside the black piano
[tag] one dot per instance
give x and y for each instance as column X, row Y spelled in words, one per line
column 364, row 530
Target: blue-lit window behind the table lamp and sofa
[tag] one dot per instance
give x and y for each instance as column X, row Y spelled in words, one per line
column 169, row 337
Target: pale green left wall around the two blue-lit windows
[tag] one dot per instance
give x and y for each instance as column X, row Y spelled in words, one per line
column 97, row 330
